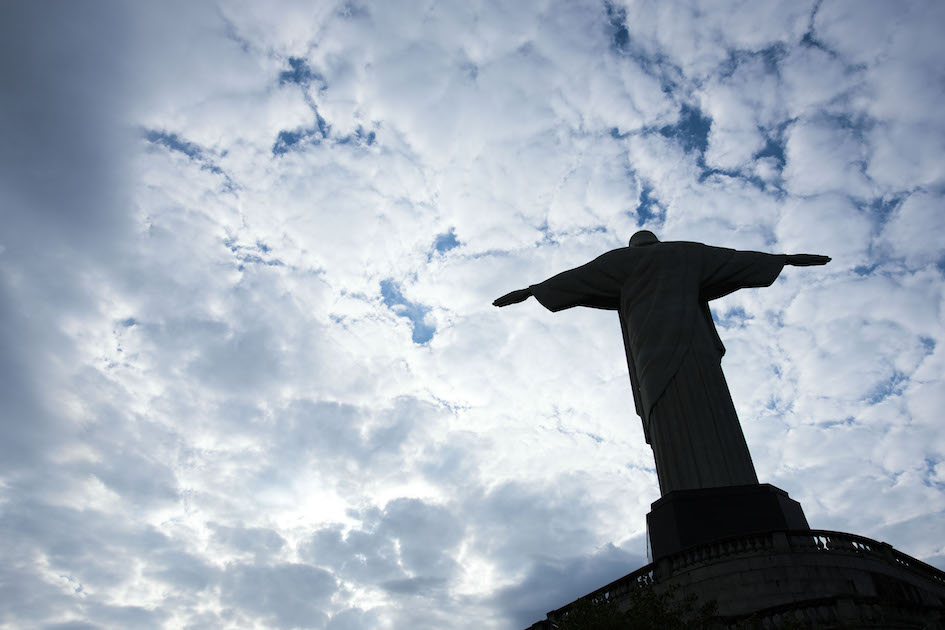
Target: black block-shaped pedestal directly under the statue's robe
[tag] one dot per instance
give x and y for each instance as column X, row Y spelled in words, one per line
column 689, row 518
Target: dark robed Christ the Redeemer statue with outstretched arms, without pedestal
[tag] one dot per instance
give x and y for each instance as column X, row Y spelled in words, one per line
column 662, row 292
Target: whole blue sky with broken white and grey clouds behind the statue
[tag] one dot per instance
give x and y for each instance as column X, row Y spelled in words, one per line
column 250, row 376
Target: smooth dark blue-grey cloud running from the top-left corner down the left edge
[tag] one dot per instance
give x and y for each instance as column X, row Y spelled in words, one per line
column 64, row 194
